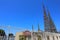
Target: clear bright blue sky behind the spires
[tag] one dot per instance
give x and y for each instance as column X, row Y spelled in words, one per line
column 24, row 13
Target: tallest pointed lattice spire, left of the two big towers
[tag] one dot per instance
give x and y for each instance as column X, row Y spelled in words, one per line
column 46, row 21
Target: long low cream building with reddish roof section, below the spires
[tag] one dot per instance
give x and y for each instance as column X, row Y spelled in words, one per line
column 37, row 36
